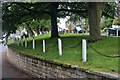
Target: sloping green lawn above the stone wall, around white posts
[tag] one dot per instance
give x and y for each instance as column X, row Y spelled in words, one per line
column 95, row 62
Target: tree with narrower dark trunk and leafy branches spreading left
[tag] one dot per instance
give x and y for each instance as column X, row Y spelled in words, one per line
column 34, row 10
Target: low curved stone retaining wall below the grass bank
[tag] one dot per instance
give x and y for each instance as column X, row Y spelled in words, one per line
column 41, row 68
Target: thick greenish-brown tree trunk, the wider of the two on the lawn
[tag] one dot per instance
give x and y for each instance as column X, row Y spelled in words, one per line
column 94, row 13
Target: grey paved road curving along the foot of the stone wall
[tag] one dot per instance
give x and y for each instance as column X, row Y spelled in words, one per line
column 6, row 69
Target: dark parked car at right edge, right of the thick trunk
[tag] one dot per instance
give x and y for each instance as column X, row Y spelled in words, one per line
column 113, row 30
